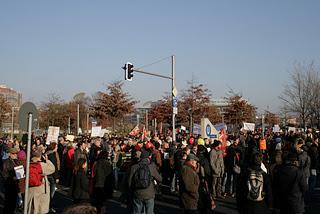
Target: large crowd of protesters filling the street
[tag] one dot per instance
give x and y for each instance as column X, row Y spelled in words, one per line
column 278, row 176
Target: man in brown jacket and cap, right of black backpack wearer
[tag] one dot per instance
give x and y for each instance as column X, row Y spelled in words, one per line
column 190, row 185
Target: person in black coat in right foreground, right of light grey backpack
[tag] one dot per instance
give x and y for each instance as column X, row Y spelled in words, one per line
column 290, row 184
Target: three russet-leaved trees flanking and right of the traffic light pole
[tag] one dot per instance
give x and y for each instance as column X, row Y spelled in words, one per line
column 196, row 103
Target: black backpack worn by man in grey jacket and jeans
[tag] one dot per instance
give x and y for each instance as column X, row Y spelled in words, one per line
column 142, row 177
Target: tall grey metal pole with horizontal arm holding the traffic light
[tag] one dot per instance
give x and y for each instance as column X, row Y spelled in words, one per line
column 173, row 91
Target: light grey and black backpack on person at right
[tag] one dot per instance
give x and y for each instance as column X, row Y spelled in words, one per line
column 255, row 185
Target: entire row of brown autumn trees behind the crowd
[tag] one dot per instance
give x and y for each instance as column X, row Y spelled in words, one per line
column 111, row 107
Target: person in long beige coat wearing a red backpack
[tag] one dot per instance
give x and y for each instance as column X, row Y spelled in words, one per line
column 39, row 196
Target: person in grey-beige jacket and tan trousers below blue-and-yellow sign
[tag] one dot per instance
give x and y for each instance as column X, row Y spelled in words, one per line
column 217, row 165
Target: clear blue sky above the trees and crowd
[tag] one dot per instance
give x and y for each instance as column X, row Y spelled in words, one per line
column 71, row 46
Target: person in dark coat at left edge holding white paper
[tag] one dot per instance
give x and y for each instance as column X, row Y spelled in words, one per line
column 11, row 183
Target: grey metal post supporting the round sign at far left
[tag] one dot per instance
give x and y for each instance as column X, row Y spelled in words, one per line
column 25, row 211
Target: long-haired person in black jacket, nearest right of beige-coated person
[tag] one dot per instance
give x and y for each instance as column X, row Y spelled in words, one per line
column 80, row 184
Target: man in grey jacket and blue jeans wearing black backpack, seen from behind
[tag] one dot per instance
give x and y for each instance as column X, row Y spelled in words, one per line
column 144, row 197
